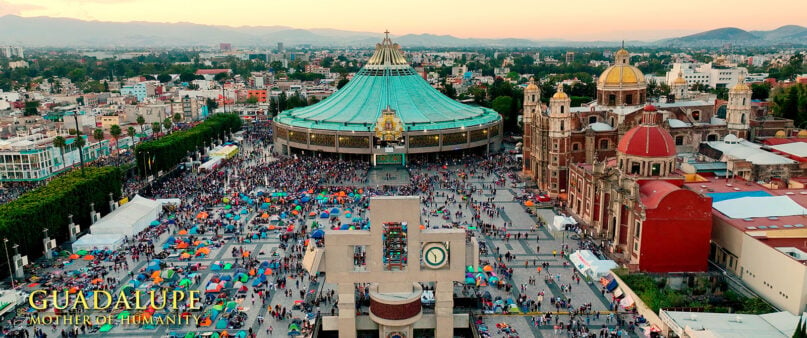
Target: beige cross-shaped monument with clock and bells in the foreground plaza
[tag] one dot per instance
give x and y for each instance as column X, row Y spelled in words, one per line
column 392, row 263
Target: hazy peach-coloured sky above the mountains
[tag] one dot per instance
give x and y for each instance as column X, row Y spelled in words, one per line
column 533, row 19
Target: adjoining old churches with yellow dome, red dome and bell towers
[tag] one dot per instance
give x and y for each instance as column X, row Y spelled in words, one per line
column 613, row 162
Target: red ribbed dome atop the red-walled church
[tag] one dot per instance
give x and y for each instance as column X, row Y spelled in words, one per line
column 647, row 141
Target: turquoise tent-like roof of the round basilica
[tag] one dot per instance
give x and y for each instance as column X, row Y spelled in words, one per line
column 387, row 81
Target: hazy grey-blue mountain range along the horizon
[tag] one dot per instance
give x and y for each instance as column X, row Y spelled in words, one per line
column 65, row 32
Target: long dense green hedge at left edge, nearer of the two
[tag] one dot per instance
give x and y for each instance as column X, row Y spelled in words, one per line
column 22, row 220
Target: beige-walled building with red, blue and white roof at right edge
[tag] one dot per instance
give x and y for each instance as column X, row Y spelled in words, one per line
column 759, row 235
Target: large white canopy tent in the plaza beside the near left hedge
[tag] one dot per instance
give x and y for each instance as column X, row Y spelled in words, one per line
column 129, row 219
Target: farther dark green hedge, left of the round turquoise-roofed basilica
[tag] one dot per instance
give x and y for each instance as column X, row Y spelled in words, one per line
column 166, row 152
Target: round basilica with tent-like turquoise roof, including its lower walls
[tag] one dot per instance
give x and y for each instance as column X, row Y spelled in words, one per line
column 387, row 114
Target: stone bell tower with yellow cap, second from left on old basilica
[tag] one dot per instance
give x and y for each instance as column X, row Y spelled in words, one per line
column 560, row 132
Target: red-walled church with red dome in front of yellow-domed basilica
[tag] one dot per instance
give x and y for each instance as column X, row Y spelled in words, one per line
column 636, row 206
